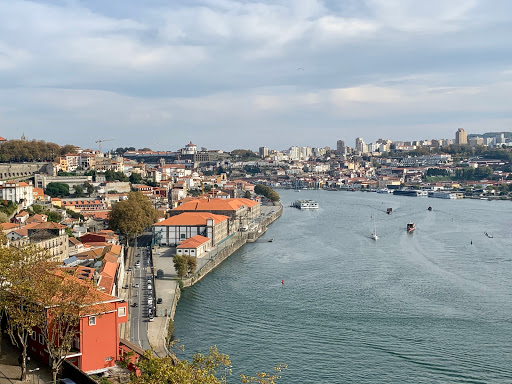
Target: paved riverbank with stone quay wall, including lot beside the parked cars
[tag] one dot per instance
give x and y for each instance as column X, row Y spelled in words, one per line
column 169, row 287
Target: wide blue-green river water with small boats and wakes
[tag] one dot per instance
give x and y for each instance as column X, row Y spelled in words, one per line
column 434, row 306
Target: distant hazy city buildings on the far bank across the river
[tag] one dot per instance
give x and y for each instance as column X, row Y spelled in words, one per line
column 381, row 164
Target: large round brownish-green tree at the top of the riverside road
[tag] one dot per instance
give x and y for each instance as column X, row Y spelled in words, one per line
column 131, row 216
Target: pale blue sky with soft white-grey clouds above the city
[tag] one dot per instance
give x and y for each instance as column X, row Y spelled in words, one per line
column 229, row 74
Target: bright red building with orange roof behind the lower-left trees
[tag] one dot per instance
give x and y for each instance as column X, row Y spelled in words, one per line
column 96, row 347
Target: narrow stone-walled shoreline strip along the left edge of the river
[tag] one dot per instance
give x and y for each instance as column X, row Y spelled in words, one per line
column 158, row 330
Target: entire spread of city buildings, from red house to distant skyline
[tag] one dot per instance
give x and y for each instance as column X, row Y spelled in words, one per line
column 204, row 197
